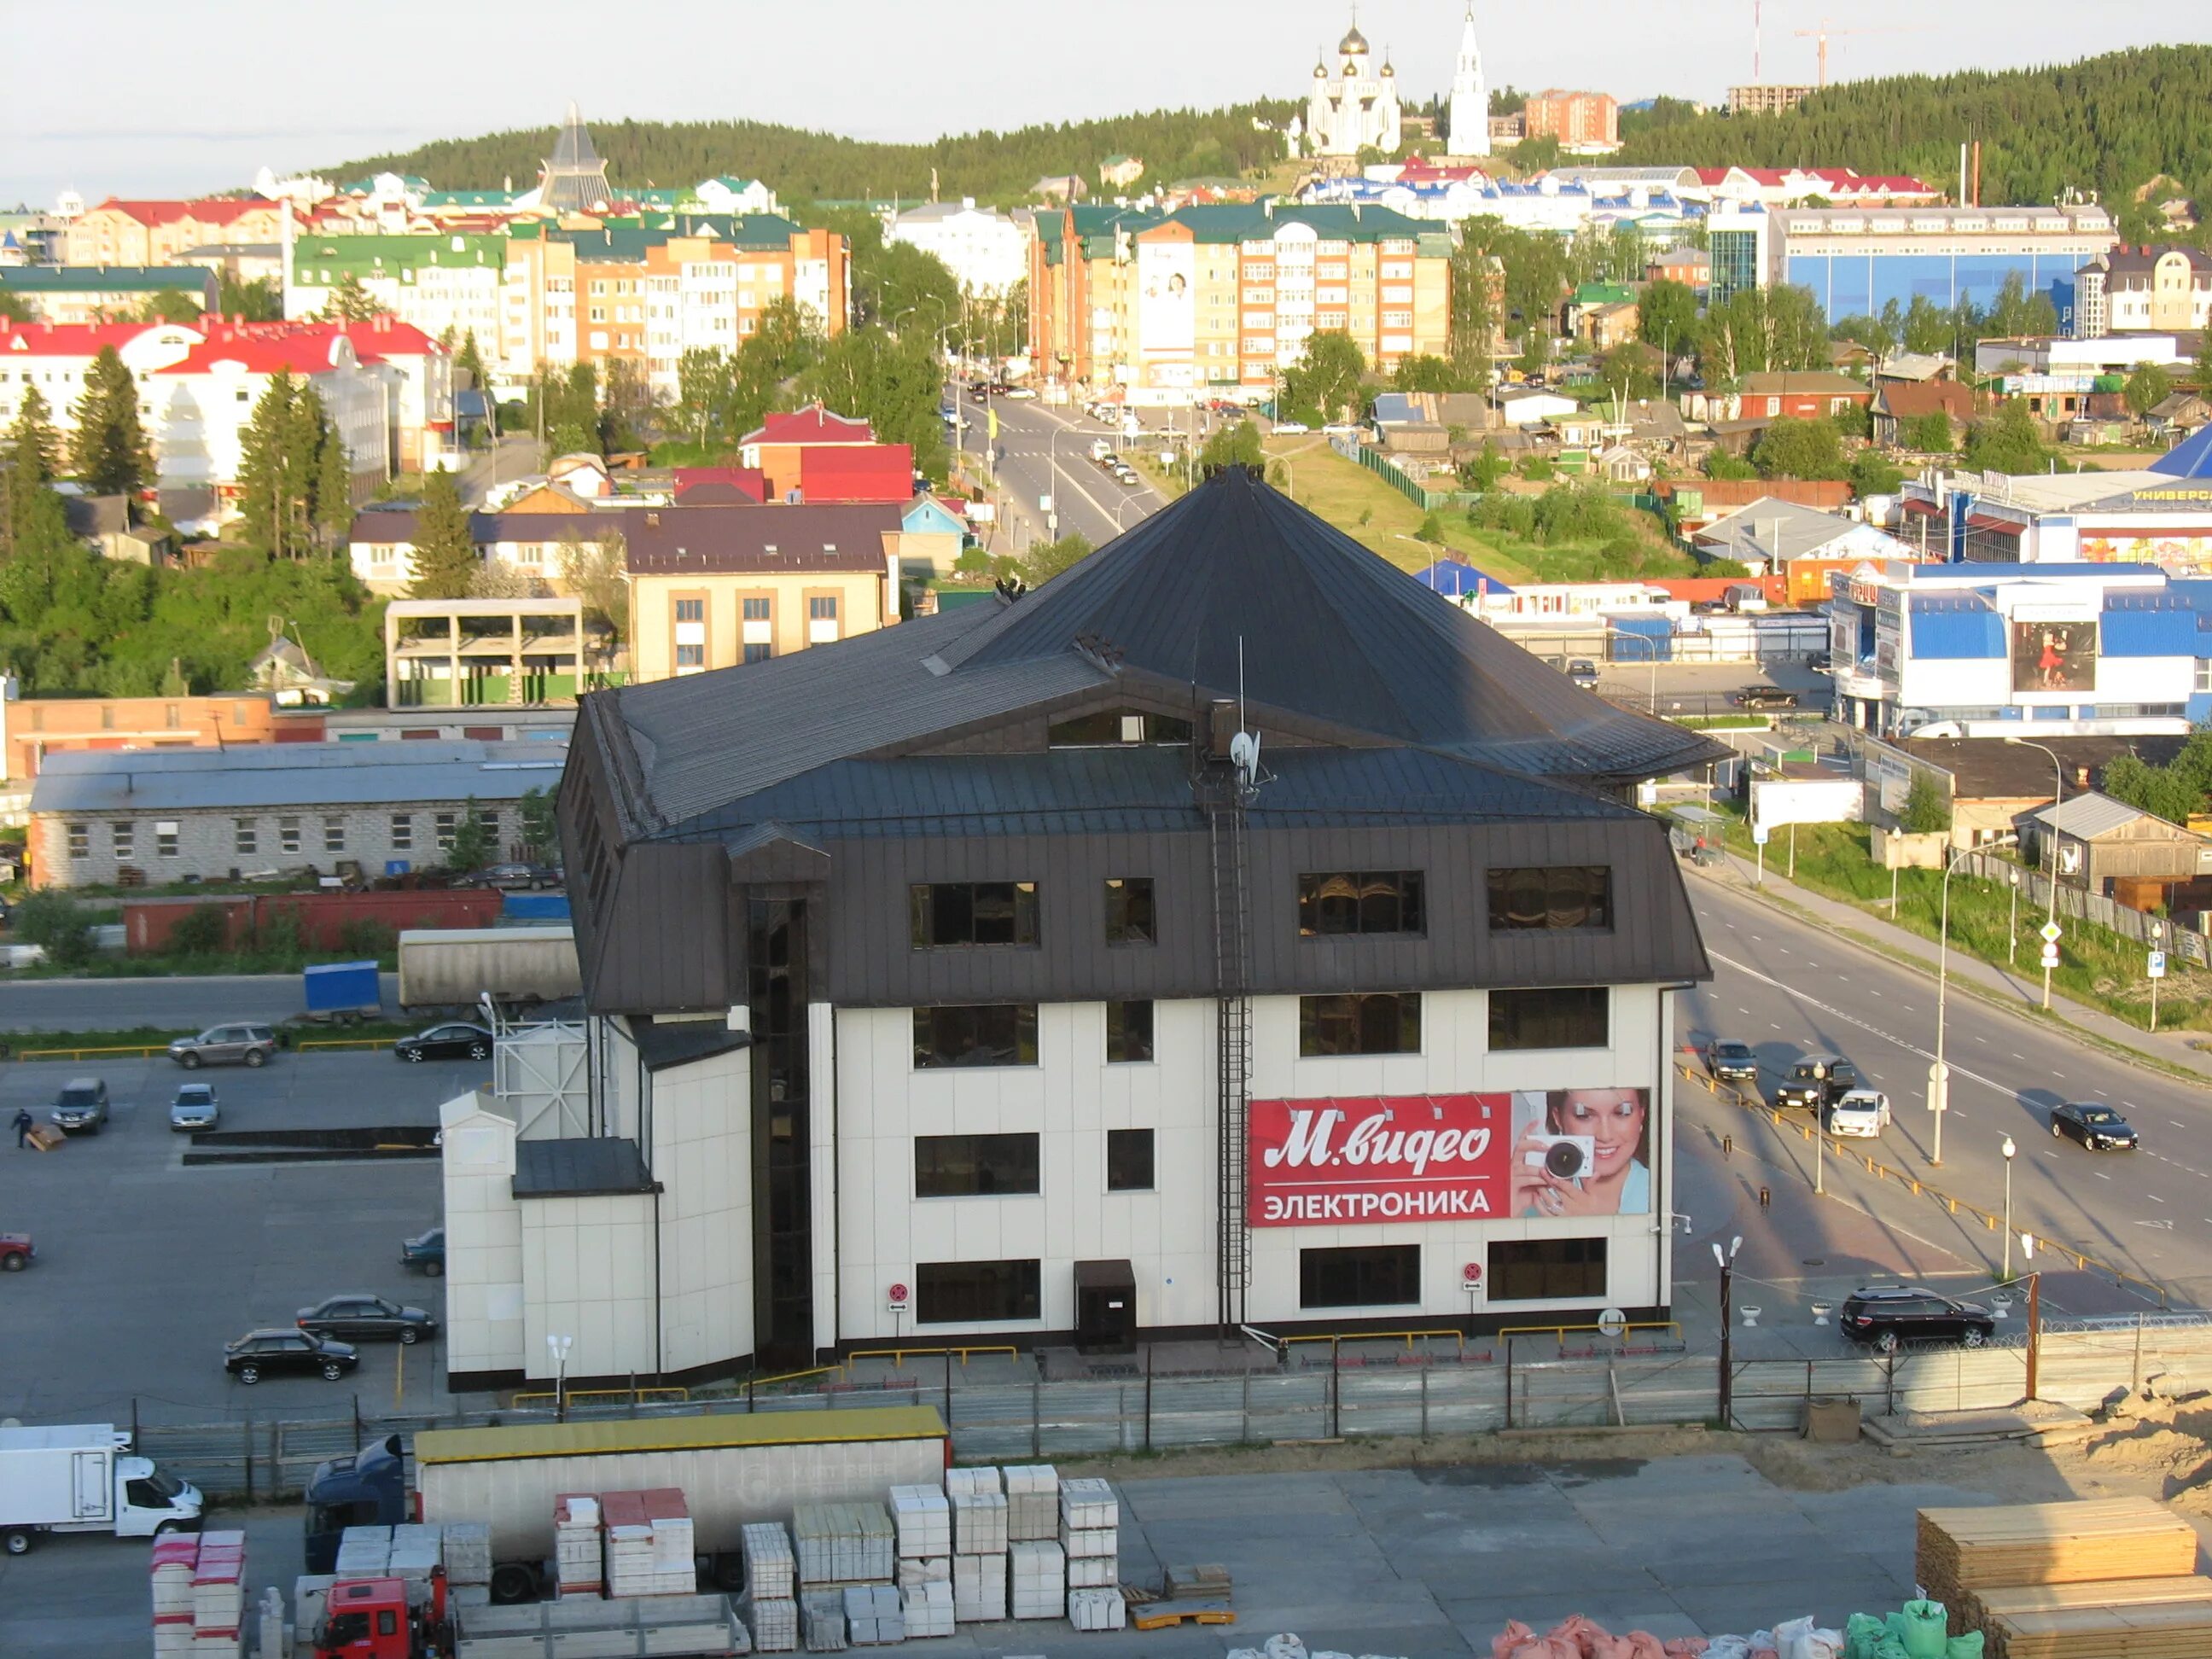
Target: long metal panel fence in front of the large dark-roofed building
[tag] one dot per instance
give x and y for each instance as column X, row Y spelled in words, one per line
column 1512, row 1384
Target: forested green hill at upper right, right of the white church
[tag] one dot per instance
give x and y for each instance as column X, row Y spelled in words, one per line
column 2107, row 125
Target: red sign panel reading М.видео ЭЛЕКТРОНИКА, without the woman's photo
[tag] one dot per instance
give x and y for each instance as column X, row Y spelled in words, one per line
column 1379, row 1158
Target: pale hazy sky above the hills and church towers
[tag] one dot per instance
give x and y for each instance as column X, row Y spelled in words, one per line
column 163, row 98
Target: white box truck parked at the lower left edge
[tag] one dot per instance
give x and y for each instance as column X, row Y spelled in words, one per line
column 83, row 1479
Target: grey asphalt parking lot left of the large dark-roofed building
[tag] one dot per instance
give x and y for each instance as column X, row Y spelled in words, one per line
column 147, row 1269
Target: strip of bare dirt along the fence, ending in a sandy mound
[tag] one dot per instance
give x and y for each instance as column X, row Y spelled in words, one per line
column 2145, row 1448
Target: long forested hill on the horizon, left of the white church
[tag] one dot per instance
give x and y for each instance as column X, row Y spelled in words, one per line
column 822, row 167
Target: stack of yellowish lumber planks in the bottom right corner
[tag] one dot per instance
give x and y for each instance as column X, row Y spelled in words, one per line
column 2109, row 1578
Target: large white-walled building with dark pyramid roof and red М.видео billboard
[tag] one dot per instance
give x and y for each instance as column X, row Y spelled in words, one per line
column 1229, row 932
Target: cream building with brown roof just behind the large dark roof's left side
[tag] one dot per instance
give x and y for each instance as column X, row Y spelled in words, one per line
column 718, row 587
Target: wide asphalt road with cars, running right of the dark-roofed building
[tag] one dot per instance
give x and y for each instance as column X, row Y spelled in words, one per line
column 1788, row 988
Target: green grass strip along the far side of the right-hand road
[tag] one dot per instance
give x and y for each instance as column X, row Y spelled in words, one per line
column 2096, row 966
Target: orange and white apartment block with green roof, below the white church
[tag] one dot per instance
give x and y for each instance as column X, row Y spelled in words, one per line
column 1224, row 298
